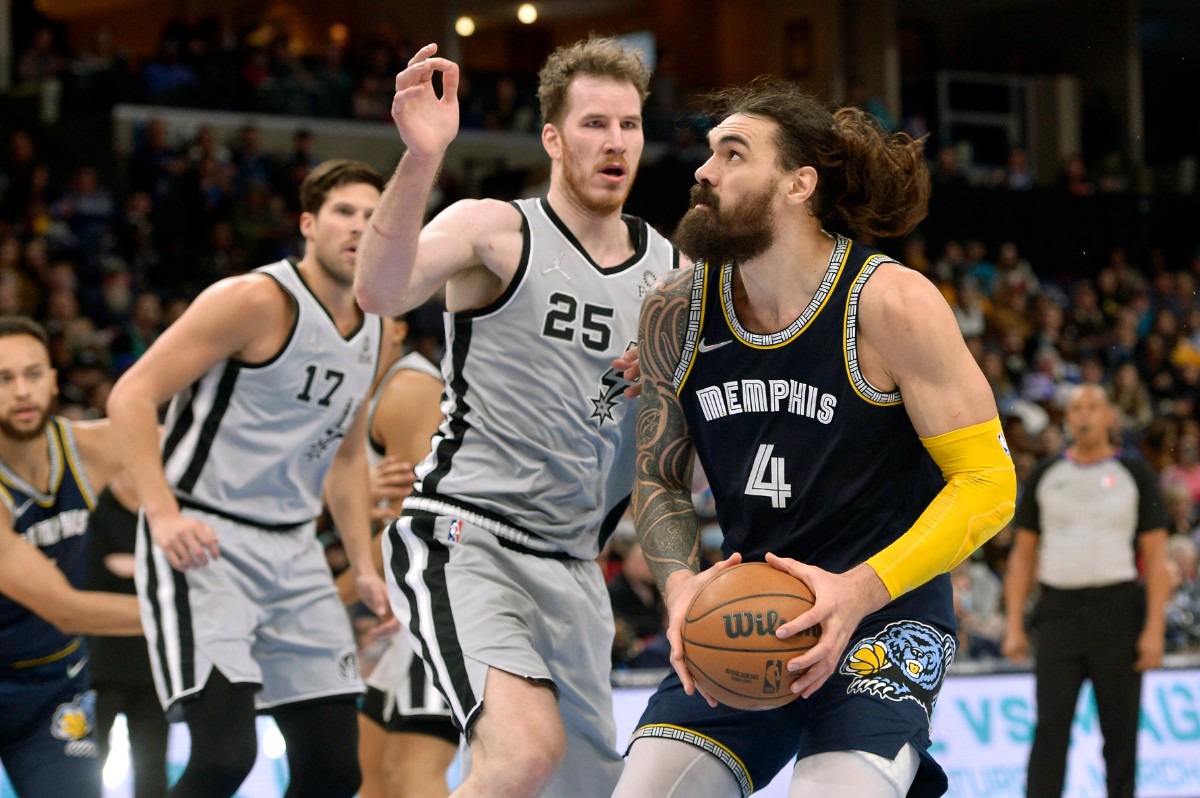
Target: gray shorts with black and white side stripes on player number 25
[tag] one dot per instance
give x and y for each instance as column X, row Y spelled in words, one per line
column 471, row 603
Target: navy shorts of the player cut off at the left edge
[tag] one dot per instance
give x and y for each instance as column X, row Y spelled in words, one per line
column 47, row 729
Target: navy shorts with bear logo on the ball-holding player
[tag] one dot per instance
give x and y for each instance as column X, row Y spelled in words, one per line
column 880, row 698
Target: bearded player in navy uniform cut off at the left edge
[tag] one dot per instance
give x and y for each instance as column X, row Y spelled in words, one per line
column 50, row 473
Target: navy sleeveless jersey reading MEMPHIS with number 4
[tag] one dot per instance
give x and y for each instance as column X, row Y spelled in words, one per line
column 805, row 457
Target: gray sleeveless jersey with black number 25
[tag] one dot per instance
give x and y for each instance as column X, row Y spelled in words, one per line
column 537, row 445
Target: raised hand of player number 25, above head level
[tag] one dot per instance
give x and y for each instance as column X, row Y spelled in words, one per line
column 427, row 123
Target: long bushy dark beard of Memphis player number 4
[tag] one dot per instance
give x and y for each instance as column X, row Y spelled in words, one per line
column 736, row 235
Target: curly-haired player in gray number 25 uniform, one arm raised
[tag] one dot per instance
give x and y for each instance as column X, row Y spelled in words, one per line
column 494, row 560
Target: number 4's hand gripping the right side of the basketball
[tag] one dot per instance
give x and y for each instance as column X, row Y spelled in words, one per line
column 843, row 601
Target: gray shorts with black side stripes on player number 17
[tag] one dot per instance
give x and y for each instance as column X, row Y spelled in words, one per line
column 266, row 614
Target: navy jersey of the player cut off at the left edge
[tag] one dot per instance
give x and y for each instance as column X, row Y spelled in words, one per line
column 53, row 521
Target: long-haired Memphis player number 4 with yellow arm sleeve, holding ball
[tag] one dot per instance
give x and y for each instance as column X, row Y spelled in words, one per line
column 823, row 387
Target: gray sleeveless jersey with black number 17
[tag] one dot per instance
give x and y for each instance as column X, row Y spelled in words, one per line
column 254, row 442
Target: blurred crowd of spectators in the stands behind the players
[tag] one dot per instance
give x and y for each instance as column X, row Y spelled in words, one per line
column 109, row 266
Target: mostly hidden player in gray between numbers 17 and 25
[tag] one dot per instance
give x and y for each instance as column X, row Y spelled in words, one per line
column 407, row 739
